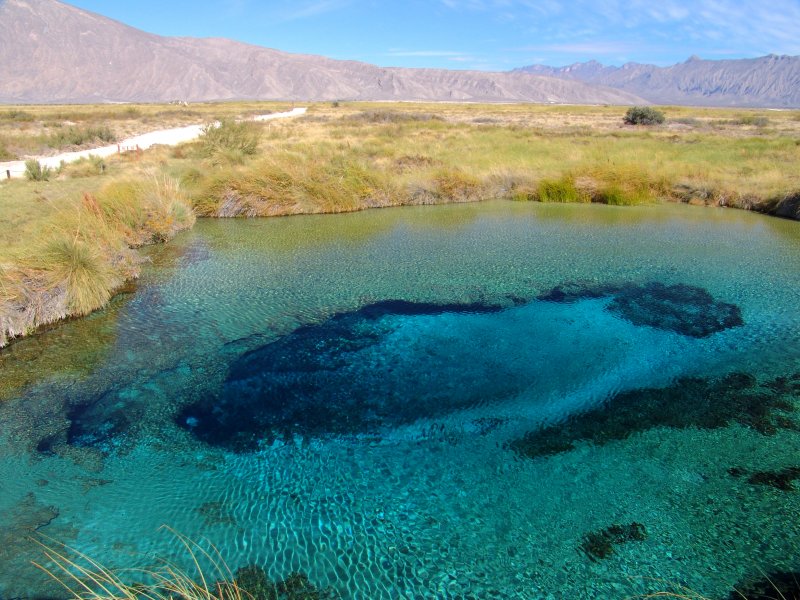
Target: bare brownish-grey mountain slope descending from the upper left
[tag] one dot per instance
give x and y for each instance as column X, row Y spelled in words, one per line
column 53, row 52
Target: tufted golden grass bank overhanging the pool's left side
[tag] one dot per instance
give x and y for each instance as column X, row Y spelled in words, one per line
column 67, row 257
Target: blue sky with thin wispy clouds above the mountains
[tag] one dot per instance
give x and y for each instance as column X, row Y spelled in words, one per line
column 481, row 34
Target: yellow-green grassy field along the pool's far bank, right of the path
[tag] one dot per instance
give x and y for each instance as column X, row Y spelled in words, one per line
column 353, row 157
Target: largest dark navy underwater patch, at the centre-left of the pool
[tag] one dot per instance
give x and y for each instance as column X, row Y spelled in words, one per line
column 314, row 381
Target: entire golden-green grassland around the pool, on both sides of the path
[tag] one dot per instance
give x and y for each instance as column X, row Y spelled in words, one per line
column 66, row 244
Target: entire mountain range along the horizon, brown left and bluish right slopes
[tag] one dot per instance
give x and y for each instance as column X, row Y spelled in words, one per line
column 52, row 52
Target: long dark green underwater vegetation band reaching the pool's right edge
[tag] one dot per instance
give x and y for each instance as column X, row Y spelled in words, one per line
column 690, row 402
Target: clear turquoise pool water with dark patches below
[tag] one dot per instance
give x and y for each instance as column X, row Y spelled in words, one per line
column 433, row 402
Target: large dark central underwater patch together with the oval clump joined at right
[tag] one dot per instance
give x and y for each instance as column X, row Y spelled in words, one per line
column 313, row 381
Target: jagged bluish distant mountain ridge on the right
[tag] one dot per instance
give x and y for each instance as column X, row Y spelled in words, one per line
column 770, row 81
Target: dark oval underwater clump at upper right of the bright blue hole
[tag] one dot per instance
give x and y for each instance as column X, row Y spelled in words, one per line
column 684, row 309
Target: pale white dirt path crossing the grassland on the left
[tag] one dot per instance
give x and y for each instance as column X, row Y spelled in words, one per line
column 168, row 137
